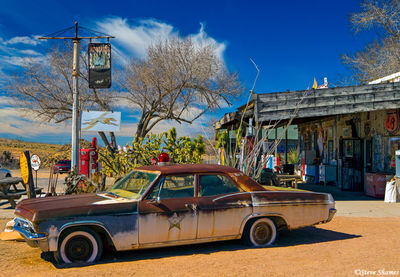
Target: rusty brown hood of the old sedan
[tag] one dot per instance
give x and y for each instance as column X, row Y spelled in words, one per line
column 45, row 208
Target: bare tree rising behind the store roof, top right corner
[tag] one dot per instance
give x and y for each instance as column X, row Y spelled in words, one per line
column 381, row 57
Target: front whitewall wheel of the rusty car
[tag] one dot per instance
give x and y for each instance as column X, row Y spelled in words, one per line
column 79, row 246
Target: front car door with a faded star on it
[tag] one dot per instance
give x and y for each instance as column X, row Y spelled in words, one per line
column 169, row 215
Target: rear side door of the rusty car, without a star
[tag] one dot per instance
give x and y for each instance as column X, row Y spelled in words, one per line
column 222, row 207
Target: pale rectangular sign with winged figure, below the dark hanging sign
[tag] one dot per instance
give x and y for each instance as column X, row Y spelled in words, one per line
column 101, row 121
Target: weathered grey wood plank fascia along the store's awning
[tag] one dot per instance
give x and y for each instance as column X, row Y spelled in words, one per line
column 325, row 102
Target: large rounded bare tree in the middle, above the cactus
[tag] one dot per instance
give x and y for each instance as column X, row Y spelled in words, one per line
column 179, row 80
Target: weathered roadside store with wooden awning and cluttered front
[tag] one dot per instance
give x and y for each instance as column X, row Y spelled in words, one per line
column 347, row 136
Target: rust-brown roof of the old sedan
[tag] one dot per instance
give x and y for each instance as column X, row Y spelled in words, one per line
column 189, row 168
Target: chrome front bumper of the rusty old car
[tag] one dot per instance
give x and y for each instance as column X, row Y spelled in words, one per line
column 34, row 239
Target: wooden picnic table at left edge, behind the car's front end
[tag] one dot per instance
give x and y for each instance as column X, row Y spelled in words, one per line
column 10, row 191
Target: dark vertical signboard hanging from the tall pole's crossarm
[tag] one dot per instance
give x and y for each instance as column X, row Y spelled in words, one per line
column 99, row 65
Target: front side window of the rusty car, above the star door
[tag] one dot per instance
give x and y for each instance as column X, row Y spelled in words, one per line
column 175, row 186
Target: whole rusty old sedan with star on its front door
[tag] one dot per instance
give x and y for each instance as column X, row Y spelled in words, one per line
column 167, row 205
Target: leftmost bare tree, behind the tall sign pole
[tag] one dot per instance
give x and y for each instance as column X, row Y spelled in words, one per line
column 45, row 89
